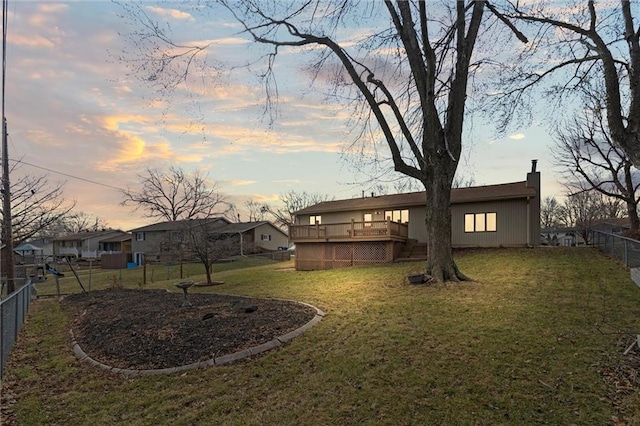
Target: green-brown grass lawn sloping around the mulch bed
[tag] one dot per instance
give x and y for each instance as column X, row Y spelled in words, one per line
column 527, row 343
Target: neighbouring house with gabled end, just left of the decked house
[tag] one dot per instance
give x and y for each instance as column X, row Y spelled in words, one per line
column 160, row 241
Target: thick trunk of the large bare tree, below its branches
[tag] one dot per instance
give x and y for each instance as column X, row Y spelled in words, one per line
column 440, row 263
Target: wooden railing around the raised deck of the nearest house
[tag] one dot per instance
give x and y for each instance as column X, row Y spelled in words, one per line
column 351, row 230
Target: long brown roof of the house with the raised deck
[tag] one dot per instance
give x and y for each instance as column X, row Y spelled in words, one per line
column 505, row 191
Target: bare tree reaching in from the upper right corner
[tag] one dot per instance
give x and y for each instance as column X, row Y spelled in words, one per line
column 584, row 44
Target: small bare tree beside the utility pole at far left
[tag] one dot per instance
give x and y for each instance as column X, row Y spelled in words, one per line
column 36, row 204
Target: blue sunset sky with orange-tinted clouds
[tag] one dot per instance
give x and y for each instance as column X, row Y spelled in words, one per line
column 78, row 112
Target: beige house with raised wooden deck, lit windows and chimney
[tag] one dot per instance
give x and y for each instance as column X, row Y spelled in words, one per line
column 386, row 228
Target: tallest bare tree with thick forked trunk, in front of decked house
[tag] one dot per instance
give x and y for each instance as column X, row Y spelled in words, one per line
column 407, row 76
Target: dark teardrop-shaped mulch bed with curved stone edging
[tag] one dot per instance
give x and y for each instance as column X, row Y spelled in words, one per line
column 149, row 329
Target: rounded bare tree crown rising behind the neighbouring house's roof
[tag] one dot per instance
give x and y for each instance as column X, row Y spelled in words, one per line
column 175, row 195
